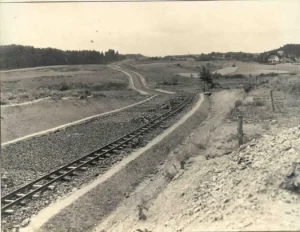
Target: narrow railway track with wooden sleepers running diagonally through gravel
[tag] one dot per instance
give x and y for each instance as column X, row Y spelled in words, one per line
column 32, row 190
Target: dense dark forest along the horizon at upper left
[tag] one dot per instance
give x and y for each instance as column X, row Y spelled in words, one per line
column 17, row 56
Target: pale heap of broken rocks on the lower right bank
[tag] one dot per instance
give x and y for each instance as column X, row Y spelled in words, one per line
column 263, row 170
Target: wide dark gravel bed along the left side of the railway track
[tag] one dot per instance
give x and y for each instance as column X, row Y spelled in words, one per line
column 43, row 154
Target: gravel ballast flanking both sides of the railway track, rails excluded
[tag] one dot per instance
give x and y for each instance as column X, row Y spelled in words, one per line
column 68, row 144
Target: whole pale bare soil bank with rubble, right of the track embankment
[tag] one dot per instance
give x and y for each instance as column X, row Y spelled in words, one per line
column 223, row 187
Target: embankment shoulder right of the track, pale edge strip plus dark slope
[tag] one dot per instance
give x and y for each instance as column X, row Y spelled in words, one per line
column 86, row 207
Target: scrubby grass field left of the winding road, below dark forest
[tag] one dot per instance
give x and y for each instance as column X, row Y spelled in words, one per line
column 58, row 82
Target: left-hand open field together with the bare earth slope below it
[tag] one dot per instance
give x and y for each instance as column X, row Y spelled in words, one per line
column 38, row 99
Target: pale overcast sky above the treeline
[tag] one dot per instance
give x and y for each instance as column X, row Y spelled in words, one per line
column 157, row 28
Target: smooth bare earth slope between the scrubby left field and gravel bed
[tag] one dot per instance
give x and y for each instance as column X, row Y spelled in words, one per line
column 22, row 120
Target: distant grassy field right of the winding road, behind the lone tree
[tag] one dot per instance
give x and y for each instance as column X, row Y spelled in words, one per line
column 184, row 75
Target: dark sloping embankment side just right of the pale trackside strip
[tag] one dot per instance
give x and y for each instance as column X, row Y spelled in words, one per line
column 94, row 206
